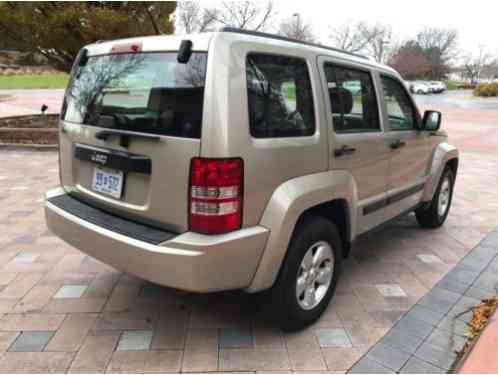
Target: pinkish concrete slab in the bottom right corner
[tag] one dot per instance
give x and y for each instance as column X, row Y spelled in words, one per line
column 483, row 358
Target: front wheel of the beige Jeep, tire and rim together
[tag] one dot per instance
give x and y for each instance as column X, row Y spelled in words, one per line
column 435, row 214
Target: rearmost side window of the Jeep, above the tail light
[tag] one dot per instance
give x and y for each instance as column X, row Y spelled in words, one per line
column 280, row 98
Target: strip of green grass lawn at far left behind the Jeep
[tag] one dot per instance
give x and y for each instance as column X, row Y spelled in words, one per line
column 34, row 81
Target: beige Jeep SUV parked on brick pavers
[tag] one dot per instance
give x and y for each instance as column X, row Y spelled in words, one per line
column 238, row 160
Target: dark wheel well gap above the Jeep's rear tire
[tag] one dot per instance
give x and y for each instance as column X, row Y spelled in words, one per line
column 337, row 212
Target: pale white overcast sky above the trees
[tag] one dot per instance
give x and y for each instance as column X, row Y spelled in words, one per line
column 475, row 20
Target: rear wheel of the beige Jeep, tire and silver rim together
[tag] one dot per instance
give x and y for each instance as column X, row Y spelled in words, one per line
column 309, row 274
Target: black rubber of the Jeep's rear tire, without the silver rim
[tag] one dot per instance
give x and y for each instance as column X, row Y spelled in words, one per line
column 309, row 231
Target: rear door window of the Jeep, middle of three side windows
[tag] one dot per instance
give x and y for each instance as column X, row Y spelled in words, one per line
column 352, row 99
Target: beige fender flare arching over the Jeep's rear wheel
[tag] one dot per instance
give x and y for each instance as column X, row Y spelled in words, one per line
column 286, row 206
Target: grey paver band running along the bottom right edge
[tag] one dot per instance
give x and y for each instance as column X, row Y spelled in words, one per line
column 426, row 338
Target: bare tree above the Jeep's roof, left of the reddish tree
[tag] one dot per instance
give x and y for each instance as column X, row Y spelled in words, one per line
column 361, row 37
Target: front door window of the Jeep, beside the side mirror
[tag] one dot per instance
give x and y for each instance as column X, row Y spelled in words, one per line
column 400, row 110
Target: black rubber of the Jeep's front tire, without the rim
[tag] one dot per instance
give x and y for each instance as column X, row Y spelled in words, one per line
column 429, row 216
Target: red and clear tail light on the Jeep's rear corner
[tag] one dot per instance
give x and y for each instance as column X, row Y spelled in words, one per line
column 215, row 195
